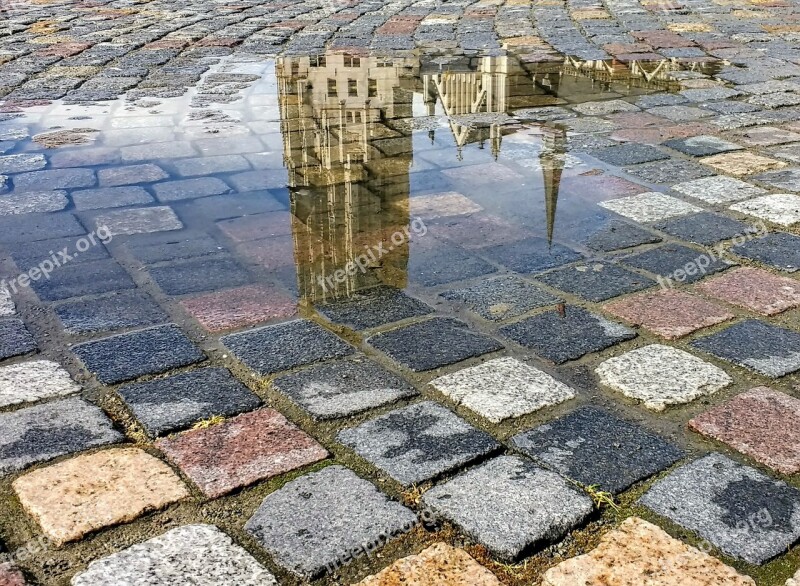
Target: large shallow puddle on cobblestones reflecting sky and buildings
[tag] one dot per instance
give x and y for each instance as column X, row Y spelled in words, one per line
column 476, row 152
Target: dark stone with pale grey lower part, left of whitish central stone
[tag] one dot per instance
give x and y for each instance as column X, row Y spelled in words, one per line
column 343, row 388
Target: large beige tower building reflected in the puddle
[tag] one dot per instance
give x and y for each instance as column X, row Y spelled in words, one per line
column 348, row 169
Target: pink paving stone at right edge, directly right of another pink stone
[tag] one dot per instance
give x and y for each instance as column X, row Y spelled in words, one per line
column 754, row 289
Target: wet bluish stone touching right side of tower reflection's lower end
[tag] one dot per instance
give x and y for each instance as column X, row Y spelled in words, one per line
column 433, row 262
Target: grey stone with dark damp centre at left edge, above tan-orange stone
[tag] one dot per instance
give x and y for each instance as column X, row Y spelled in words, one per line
column 43, row 432
